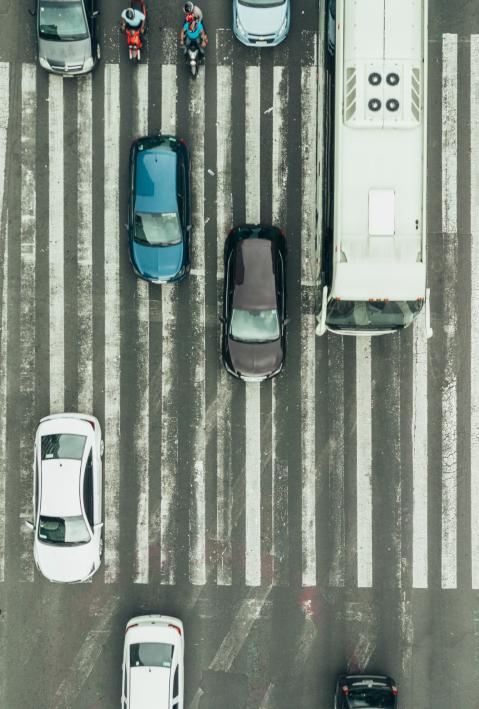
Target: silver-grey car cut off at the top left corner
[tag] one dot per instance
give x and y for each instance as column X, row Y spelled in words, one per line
column 66, row 35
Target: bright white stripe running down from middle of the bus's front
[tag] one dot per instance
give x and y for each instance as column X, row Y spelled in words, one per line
column 363, row 462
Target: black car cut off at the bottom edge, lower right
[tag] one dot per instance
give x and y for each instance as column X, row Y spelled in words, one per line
column 365, row 692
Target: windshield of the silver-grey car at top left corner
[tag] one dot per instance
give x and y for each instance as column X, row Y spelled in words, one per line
column 62, row 20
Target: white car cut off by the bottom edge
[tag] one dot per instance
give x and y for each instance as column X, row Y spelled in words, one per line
column 153, row 663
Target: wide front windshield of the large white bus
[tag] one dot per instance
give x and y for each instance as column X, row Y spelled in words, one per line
column 372, row 315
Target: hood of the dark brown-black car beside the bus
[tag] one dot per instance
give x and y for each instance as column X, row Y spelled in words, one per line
column 255, row 359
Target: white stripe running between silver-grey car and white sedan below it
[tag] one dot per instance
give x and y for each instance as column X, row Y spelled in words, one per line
column 56, row 248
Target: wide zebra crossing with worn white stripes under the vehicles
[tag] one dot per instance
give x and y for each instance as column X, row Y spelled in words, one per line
column 208, row 481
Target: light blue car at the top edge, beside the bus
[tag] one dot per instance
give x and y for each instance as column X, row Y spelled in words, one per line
column 261, row 23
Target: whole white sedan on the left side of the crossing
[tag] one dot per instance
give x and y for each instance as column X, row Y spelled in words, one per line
column 67, row 497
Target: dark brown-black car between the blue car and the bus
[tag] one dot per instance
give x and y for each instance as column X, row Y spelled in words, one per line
column 254, row 315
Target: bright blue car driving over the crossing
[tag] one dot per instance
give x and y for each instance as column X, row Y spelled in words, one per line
column 159, row 209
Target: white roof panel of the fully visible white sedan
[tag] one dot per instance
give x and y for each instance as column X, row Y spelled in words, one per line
column 60, row 491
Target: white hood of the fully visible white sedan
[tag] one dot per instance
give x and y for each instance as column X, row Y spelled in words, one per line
column 68, row 564
